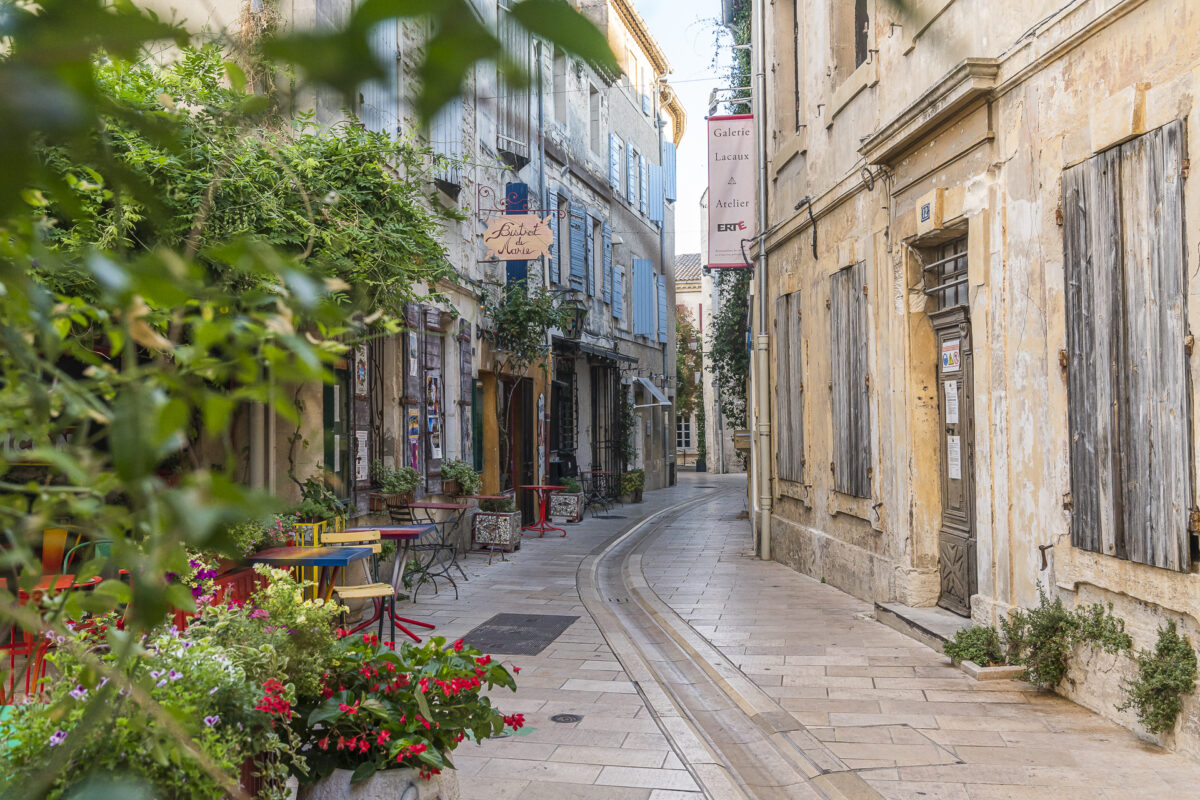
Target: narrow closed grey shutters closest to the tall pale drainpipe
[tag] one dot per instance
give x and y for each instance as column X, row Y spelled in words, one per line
column 789, row 390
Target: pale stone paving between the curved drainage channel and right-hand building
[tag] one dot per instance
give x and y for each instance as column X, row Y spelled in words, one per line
column 891, row 708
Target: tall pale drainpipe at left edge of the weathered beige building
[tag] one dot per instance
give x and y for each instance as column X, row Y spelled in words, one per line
column 763, row 377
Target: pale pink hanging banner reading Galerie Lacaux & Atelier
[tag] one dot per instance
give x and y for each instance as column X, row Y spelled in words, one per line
column 730, row 189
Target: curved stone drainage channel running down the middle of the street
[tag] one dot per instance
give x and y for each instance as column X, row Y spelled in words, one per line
column 733, row 737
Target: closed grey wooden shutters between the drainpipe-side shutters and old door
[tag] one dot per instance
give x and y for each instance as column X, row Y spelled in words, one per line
column 849, row 382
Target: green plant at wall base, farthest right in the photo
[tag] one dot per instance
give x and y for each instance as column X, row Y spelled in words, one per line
column 1165, row 677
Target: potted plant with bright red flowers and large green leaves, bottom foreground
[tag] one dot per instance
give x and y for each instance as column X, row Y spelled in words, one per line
column 386, row 719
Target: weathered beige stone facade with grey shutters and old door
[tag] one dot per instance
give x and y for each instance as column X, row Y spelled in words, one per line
column 981, row 309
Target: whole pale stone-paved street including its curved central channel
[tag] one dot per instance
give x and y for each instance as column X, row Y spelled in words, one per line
column 817, row 699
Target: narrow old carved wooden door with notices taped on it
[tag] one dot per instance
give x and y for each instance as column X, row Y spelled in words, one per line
column 946, row 280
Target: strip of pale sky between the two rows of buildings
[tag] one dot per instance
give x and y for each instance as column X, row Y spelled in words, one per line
column 686, row 31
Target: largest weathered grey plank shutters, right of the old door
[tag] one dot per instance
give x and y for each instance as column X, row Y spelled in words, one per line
column 1127, row 366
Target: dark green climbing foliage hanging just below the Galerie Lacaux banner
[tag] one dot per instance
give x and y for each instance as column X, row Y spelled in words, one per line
column 729, row 353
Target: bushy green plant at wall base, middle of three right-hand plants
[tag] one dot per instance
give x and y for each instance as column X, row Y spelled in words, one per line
column 1042, row 639
